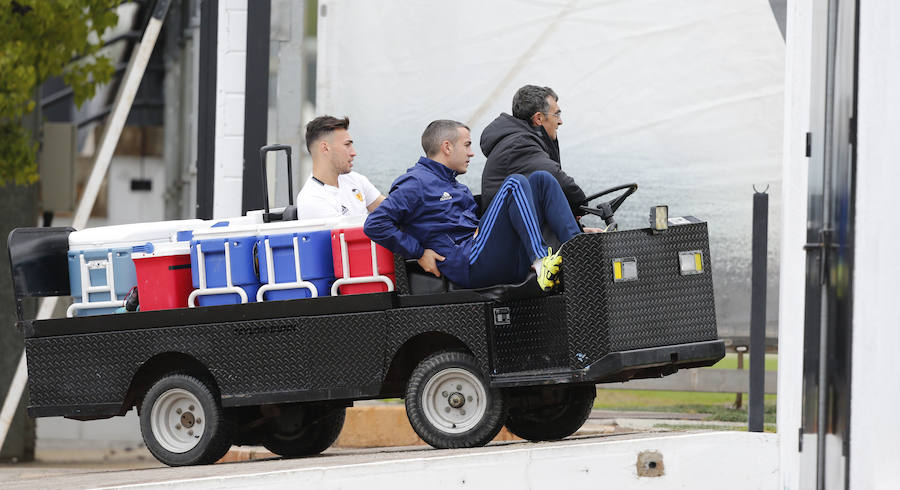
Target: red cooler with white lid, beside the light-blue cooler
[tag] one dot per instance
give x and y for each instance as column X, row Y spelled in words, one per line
column 163, row 275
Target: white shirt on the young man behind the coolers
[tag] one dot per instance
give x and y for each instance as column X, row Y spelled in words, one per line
column 351, row 197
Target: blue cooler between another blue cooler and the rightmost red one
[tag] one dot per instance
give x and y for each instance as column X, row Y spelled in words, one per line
column 315, row 263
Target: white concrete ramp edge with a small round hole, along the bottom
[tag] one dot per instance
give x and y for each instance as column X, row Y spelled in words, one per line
column 734, row 460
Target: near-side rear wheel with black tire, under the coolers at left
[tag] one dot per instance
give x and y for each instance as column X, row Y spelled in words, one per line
column 174, row 409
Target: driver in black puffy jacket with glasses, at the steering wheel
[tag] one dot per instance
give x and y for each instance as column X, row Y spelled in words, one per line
column 524, row 143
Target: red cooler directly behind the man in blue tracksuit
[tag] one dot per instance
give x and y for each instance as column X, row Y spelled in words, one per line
column 354, row 255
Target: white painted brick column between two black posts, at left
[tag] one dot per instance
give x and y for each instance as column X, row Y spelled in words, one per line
column 231, row 65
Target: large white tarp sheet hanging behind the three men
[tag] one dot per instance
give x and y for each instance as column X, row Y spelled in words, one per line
column 685, row 98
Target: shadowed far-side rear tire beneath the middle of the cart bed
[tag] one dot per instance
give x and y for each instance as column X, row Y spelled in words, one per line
column 302, row 432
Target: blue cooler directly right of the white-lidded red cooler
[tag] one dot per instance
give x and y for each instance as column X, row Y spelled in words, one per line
column 217, row 279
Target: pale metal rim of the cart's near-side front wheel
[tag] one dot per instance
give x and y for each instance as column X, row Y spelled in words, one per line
column 442, row 396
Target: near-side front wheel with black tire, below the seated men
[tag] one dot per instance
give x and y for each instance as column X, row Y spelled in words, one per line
column 443, row 424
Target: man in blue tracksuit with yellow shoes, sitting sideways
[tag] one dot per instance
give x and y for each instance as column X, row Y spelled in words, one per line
column 431, row 217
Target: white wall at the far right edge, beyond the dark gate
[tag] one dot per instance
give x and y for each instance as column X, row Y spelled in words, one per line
column 874, row 432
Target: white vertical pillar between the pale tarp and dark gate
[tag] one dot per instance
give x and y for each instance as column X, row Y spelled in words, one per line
column 793, row 258
